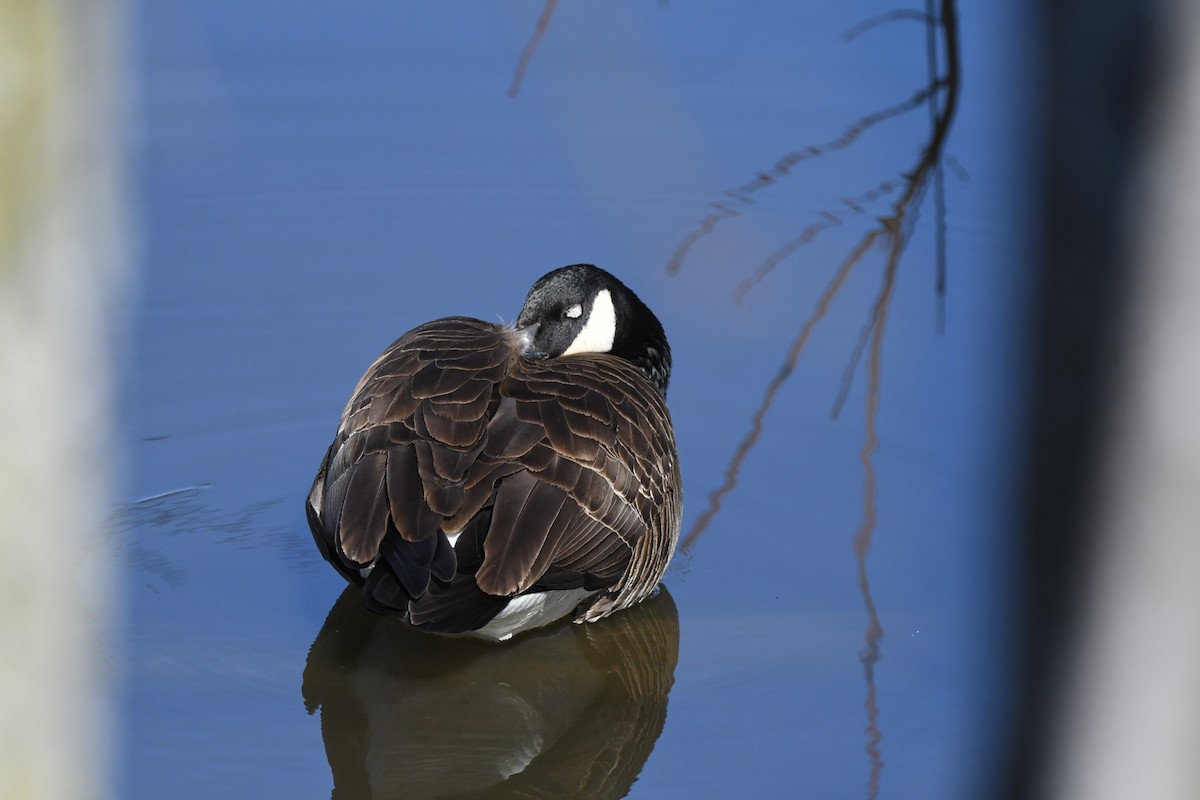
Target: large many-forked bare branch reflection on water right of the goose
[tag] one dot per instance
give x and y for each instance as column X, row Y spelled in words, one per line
column 895, row 232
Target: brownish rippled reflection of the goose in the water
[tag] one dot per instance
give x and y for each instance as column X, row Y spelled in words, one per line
column 571, row 712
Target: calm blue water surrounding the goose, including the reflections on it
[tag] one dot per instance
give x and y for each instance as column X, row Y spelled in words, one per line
column 315, row 181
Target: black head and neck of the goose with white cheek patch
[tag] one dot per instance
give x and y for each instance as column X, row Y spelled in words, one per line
column 583, row 309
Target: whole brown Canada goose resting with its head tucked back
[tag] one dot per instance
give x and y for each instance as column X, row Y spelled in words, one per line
column 488, row 479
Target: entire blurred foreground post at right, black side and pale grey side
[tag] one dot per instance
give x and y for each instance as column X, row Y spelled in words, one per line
column 1109, row 707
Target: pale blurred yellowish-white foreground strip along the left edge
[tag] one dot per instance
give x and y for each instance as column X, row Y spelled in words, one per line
column 61, row 278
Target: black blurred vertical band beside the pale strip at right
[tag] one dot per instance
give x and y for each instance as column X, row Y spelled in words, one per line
column 1095, row 70
